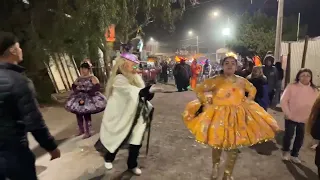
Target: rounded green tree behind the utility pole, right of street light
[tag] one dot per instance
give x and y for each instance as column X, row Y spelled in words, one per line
column 256, row 33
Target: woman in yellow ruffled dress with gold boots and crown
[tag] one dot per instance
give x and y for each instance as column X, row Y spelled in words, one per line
column 229, row 120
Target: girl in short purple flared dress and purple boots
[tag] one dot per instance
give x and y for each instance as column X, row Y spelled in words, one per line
column 85, row 99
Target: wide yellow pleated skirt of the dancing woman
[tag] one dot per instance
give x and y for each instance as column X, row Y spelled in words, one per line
column 230, row 127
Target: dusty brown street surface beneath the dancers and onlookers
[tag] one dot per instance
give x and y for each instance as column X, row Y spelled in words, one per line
column 174, row 155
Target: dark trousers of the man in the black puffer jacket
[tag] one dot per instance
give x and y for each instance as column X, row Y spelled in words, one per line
column 17, row 164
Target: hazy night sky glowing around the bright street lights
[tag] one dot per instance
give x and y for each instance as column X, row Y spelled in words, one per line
column 208, row 29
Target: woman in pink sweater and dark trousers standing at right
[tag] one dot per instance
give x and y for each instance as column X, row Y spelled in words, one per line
column 296, row 102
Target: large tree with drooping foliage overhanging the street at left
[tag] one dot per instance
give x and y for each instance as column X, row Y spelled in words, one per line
column 75, row 27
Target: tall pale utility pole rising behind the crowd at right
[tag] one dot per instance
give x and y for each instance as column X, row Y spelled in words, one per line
column 277, row 51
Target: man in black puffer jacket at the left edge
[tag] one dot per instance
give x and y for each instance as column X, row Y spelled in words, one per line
column 19, row 114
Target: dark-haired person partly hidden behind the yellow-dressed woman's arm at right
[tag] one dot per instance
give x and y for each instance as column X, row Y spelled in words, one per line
column 260, row 82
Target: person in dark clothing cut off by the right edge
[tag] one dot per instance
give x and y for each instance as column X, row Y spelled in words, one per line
column 314, row 129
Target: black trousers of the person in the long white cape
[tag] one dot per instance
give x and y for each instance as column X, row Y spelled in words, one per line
column 132, row 161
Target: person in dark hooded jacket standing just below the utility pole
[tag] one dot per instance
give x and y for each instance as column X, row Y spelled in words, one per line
column 272, row 76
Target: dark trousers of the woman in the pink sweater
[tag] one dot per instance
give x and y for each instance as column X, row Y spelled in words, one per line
column 292, row 127
